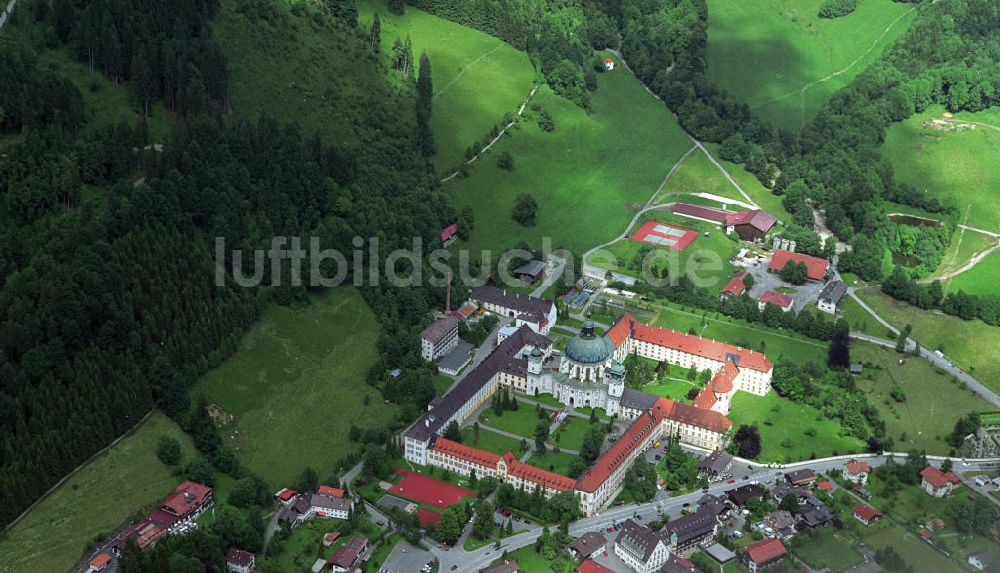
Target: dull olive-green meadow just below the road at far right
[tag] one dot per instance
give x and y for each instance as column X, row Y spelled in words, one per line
column 933, row 402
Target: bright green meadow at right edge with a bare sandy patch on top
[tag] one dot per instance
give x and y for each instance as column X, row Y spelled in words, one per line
column 957, row 165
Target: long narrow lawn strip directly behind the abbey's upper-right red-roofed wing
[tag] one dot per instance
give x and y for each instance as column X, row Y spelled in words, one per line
column 772, row 342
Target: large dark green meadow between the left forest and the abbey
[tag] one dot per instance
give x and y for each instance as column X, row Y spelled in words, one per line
column 293, row 374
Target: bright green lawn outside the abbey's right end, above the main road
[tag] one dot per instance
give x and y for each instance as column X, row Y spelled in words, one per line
column 783, row 425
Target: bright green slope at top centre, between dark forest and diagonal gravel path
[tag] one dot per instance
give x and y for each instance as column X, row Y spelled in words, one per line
column 477, row 78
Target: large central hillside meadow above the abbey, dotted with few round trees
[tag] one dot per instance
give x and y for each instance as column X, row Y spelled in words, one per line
column 587, row 175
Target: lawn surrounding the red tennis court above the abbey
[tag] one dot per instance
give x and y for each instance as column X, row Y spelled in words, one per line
column 705, row 259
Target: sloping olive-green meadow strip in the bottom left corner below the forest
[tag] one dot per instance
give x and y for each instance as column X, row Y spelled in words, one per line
column 122, row 482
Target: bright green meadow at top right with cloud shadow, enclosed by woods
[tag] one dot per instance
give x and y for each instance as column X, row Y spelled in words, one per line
column 785, row 62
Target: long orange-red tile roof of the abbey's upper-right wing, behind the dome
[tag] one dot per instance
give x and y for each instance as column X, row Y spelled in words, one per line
column 627, row 326
